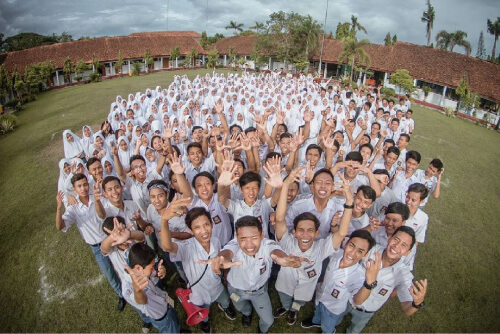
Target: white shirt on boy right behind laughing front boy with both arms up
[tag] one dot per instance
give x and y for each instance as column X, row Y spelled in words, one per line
column 307, row 205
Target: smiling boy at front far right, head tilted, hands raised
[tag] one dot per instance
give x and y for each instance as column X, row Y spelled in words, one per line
column 392, row 275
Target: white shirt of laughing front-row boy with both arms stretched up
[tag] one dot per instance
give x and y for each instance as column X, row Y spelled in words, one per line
column 301, row 282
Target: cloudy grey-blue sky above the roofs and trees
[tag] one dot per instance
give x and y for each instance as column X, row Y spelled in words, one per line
column 122, row 17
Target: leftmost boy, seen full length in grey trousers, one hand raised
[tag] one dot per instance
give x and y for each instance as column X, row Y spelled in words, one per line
column 84, row 216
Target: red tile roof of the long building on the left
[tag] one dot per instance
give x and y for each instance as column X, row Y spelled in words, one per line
column 105, row 49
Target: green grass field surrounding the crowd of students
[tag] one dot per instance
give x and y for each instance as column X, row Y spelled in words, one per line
column 50, row 282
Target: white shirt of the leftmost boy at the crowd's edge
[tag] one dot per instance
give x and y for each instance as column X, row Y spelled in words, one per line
column 86, row 220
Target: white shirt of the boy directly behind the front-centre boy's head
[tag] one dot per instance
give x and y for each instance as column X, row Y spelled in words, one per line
column 261, row 209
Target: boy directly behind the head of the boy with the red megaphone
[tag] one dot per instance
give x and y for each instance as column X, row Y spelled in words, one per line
column 204, row 186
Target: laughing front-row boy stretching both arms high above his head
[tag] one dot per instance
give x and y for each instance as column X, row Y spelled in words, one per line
column 296, row 286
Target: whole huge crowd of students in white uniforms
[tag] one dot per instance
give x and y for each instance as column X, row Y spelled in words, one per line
column 242, row 183
